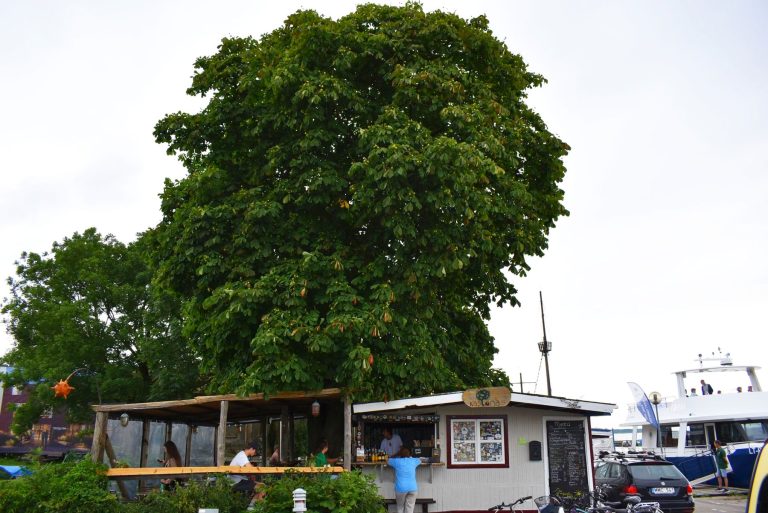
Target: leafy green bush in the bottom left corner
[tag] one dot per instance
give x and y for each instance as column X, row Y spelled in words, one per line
column 59, row 488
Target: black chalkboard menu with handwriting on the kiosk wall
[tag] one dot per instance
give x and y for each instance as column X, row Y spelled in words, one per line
column 567, row 457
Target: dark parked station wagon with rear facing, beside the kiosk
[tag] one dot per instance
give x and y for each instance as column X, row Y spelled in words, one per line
column 651, row 477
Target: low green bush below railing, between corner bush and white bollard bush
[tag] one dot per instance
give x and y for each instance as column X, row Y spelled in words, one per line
column 189, row 498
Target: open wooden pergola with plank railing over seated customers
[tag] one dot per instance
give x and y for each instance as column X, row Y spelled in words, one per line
column 217, row 411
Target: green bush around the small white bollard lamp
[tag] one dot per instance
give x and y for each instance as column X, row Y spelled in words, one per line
column 351, row 492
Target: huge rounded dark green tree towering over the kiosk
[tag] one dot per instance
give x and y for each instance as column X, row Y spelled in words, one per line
column 357, row 192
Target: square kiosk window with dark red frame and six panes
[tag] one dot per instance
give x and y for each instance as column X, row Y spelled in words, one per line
column 477, row 441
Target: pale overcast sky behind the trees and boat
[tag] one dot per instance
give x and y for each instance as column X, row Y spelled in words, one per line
column 665, row 106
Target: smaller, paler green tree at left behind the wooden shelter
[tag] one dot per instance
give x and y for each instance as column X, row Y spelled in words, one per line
column 88, row 304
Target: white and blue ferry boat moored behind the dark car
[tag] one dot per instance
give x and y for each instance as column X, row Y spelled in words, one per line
column 691, row 422
